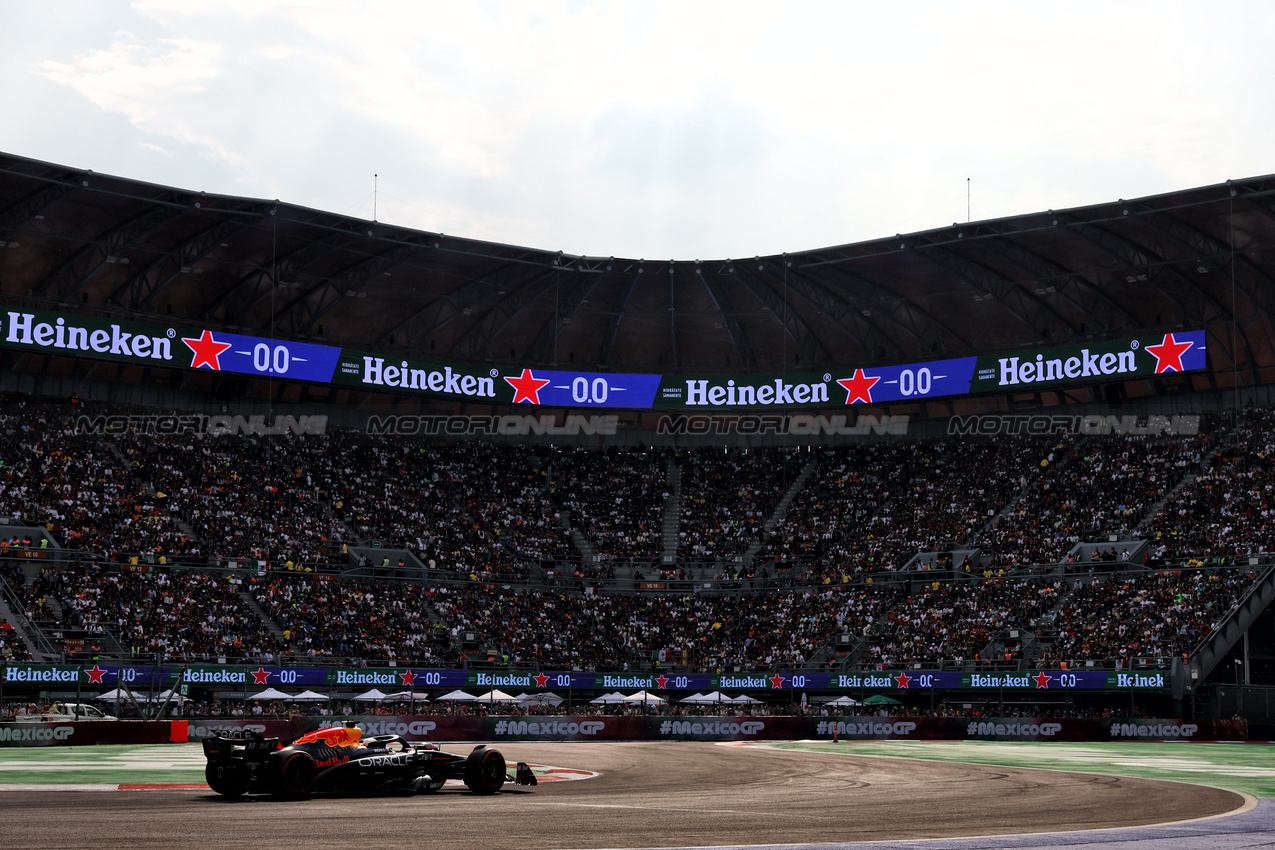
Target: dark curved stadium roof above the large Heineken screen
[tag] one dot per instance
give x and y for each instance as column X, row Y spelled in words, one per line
column 78, row 240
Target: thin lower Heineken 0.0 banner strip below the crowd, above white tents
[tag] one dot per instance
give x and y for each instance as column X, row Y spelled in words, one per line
column 239, row 677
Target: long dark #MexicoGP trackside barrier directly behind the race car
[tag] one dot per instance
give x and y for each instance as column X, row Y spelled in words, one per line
column 605, row 728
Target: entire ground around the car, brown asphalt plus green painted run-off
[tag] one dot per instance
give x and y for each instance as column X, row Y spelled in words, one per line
column 680, row 795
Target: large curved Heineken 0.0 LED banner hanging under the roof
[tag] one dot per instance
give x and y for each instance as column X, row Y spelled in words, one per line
column 200, row 349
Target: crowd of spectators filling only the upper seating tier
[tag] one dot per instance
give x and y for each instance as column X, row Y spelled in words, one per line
column 502, row 510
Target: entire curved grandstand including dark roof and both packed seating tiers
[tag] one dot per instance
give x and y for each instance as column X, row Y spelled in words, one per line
column 1102, row 524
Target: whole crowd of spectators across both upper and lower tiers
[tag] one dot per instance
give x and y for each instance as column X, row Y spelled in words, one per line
column 499, row 515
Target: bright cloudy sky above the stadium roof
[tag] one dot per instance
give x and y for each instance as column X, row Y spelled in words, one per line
column 660, row 131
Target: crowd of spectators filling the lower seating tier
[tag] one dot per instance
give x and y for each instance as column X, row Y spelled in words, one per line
column 205, row 616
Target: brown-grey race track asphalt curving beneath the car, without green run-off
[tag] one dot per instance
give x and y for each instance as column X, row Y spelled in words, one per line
column 657, row 795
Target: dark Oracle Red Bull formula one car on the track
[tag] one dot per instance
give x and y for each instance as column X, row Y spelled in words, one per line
column 341, row 761
